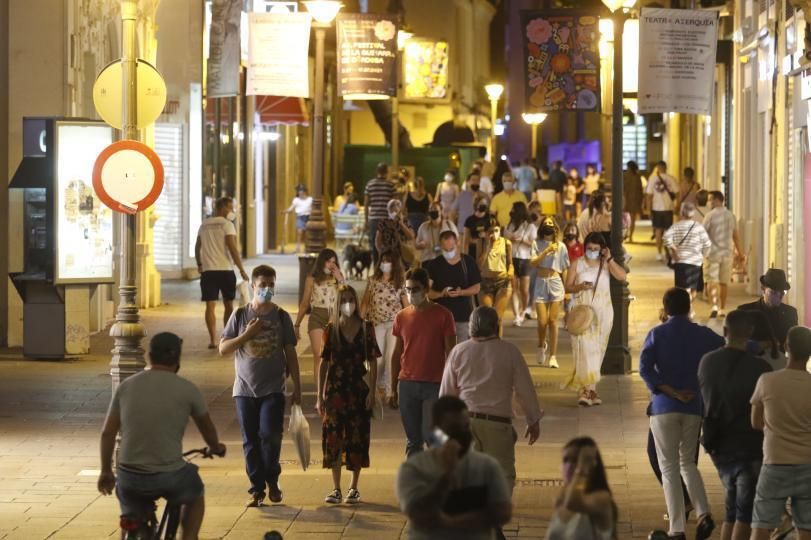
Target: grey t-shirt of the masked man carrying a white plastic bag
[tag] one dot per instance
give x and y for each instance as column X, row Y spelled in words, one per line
column 260, row 364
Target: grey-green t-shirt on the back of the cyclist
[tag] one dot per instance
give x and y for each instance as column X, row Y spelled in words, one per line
column 154, row 407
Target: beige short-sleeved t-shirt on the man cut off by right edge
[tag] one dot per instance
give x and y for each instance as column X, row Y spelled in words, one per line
column 786, row 399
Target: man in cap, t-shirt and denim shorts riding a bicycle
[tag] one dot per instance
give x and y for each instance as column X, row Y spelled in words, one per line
column 151, row 409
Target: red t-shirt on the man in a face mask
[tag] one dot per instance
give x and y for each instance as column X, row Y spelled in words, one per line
column 423, row 334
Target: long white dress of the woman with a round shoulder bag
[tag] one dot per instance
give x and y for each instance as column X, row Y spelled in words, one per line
column 589, row 347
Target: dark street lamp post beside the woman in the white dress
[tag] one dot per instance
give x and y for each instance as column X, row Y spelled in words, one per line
column 618, row 356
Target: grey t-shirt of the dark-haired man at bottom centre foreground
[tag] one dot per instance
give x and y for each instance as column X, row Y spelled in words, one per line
column 477, row 484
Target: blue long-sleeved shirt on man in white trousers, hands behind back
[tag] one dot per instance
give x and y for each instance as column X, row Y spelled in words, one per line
column 670, row 355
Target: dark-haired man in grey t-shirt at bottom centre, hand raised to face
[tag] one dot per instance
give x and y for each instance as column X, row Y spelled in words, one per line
column 453, row 491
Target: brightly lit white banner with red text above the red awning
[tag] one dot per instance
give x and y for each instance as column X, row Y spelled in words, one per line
column 278, row 54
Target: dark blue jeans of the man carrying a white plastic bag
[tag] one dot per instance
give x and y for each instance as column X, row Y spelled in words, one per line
column 262, row 423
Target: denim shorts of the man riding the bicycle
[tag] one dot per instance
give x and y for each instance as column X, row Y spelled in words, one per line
column 137, row 492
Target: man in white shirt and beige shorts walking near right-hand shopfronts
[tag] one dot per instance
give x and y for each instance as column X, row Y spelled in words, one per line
column 725, row 248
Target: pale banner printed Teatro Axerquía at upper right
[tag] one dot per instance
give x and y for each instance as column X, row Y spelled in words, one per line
column 677, row 50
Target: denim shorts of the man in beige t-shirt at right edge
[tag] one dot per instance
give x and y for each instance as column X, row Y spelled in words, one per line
column 776, row 484
